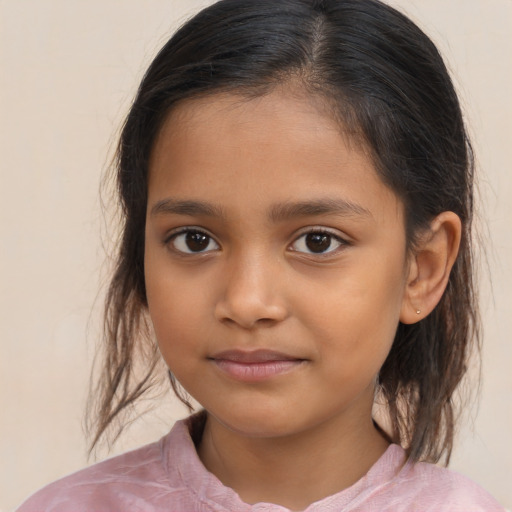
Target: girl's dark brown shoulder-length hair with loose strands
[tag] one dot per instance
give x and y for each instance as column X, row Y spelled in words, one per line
column 384, row 79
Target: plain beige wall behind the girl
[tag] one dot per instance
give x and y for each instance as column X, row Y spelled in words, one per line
column 68, row 72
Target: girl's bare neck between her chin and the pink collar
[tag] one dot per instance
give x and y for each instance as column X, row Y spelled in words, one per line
column 296, row 470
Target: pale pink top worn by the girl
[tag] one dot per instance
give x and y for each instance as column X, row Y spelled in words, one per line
column 168, row 476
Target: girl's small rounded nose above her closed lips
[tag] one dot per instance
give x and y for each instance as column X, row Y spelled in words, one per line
column 251, row 295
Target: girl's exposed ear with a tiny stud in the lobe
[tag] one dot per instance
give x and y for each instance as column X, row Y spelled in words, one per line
column 430, row 266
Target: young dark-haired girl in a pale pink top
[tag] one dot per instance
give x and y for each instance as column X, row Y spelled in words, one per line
column 296, row 185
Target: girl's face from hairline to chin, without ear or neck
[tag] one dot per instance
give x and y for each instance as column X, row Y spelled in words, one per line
column 275, row 263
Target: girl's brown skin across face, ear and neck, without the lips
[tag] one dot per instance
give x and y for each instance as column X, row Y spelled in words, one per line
column 268, row 229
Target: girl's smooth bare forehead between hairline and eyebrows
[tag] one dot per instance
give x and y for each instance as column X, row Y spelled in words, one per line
column 283, row 145
